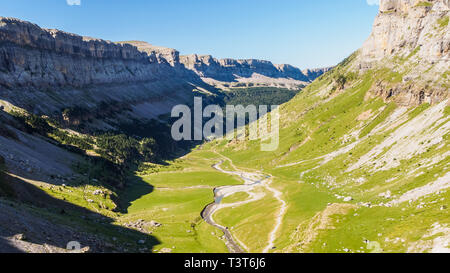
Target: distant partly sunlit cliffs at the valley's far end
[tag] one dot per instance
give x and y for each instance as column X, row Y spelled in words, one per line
column 224, row 73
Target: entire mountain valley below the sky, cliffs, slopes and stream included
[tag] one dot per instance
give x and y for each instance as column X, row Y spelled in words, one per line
column 362, row 165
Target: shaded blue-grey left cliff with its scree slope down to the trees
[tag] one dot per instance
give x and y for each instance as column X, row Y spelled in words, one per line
column 46, row 71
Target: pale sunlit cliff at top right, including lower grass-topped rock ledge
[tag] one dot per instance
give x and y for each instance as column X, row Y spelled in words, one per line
column 410, row 38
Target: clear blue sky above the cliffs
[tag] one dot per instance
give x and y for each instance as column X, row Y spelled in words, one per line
column 304, row 33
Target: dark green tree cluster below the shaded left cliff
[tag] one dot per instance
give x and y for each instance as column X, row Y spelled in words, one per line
column 131, row 144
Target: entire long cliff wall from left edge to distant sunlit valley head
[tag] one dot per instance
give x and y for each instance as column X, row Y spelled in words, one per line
column 46, row 71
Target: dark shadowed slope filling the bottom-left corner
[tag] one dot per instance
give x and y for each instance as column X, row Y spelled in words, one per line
column 48, row 224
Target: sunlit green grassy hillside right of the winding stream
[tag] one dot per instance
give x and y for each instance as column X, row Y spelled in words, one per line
column 359, row 174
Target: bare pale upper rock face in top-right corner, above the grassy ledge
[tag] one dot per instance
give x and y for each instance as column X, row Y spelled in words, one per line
column 403, row 25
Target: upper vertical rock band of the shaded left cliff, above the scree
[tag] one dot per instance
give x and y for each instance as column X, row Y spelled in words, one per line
column 38, row 57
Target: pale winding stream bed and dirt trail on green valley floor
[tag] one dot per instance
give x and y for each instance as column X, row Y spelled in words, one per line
column 252, row 180
